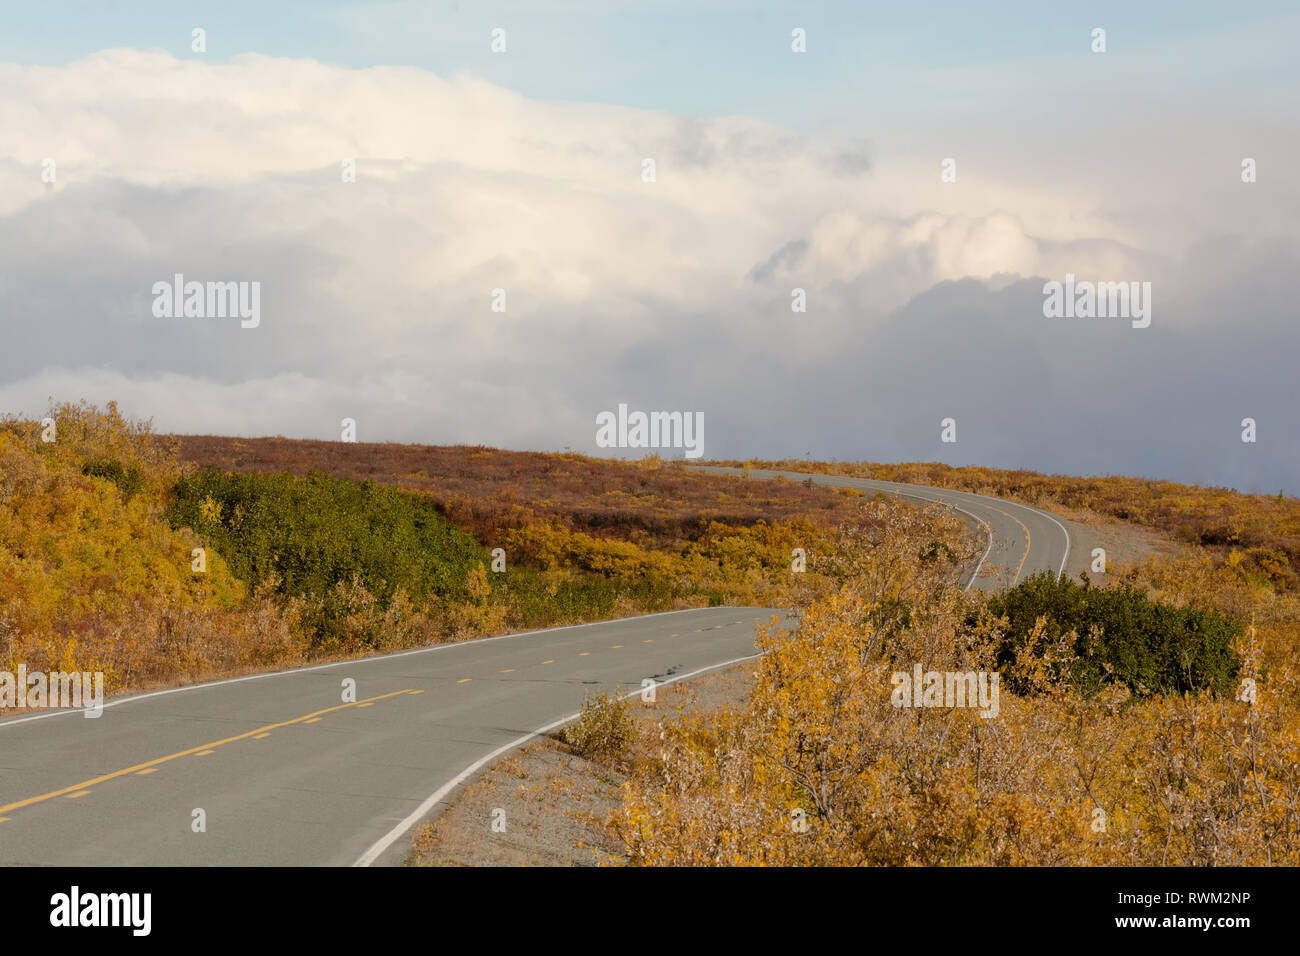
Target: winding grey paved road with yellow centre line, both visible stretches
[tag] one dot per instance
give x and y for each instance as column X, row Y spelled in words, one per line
column 287, row 773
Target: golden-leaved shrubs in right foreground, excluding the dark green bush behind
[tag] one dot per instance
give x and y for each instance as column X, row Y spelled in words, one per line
column 820, row 768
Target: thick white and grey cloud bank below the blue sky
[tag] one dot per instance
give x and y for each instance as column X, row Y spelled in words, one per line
column 924, row 300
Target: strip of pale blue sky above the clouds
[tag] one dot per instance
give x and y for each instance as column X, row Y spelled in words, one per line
column 701, row 58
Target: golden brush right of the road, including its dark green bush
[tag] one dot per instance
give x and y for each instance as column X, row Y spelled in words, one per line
column 1154, row 723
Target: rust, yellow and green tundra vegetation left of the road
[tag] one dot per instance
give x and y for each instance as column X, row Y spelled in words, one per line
column 324, row 550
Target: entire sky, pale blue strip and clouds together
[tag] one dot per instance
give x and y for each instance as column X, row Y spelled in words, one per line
column 128, row 157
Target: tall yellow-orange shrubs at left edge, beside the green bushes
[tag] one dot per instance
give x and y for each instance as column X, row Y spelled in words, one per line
column 93, row 579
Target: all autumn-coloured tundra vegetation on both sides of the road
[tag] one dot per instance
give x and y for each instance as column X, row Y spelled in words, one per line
column 1152, row 721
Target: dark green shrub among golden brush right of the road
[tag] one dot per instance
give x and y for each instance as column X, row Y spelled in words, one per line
column 1151, row 647
